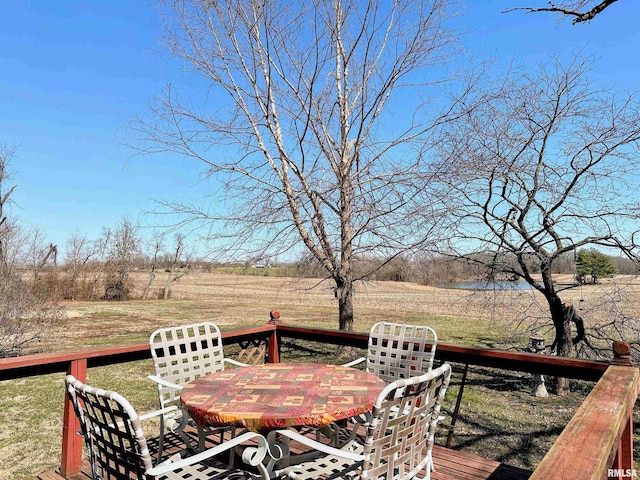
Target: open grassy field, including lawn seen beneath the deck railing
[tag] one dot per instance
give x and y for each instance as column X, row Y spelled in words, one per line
column 499, row 418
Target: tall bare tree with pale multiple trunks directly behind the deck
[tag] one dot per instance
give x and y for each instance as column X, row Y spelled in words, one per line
column 308, row 122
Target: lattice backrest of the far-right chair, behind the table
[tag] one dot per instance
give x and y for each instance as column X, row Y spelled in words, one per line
column 400, row 351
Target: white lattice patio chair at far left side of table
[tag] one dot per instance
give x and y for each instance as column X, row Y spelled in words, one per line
column 182, row 354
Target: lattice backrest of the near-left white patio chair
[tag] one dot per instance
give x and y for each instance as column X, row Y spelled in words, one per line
column 113, row 435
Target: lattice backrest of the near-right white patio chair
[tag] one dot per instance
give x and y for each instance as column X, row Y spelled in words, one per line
column 400, row 437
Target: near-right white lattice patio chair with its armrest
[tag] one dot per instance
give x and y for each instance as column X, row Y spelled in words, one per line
column 399, row 438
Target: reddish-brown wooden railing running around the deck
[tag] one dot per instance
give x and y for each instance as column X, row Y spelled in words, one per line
column 597, row 442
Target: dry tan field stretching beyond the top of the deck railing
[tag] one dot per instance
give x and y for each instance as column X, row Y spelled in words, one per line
column 235, row 301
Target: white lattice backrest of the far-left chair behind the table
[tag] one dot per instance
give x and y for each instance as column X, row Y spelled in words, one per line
column 182, row 354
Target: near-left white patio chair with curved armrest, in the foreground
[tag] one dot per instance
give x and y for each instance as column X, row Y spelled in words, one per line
column 118, row 448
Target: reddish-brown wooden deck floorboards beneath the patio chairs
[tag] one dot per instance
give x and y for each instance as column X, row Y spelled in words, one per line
column 449, row 465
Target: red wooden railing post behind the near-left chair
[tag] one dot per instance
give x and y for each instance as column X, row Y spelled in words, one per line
column 72, row 442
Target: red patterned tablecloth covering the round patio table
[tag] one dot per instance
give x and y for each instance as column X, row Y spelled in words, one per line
column 265, row 397
